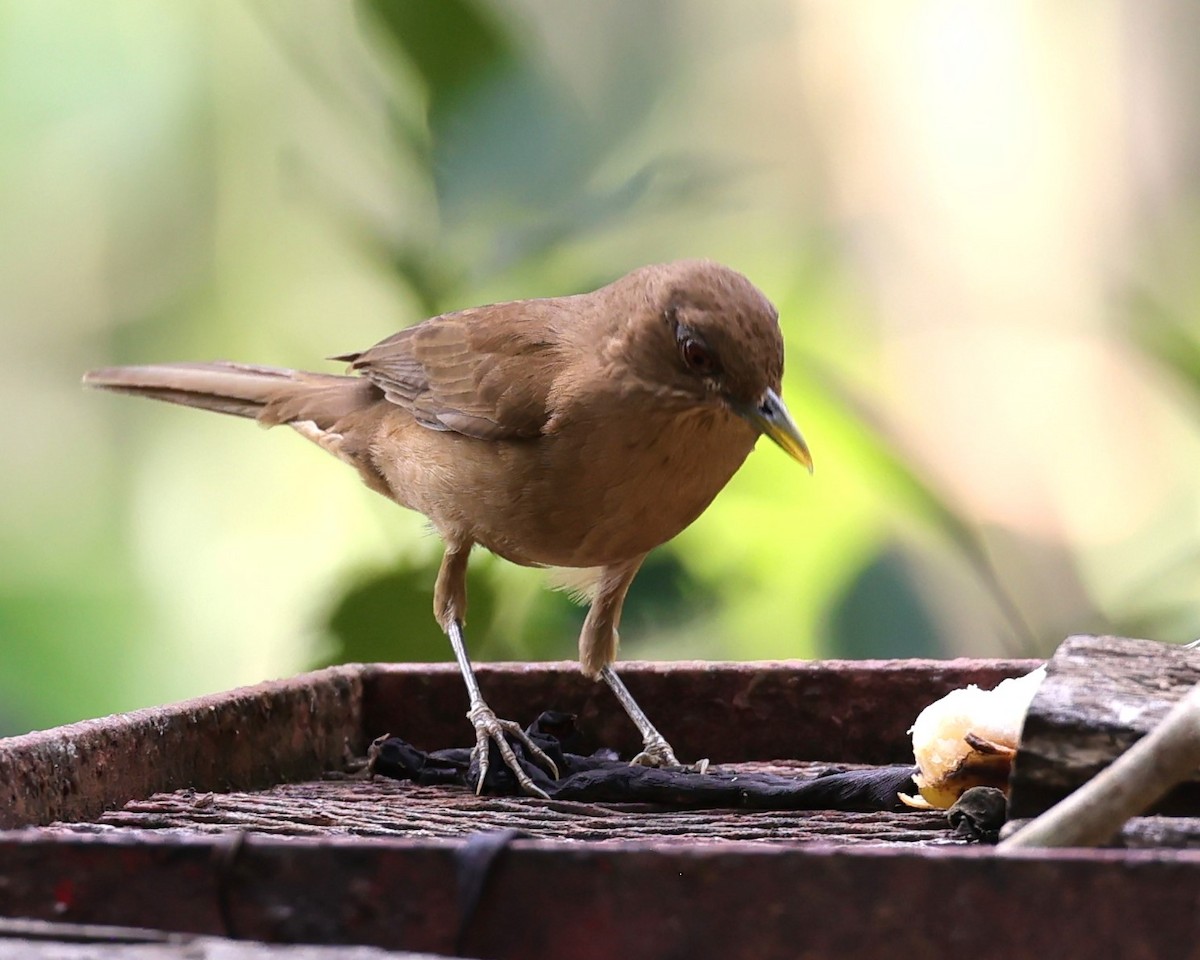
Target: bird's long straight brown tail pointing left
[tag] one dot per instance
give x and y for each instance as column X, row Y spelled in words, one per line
column 271, row 395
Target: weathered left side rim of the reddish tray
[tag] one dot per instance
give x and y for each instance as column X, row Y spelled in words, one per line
column 254, row 737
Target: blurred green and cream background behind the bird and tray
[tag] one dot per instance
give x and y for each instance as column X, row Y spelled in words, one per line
column 980, row 223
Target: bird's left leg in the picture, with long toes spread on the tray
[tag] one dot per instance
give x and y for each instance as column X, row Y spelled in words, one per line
column 451, row 601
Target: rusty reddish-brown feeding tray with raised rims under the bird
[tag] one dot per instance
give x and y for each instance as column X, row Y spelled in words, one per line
column 233, row 817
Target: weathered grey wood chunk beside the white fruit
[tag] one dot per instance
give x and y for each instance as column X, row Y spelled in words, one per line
column 1100, row 698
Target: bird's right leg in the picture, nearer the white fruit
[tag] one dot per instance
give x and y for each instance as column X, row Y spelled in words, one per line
column 598, row 650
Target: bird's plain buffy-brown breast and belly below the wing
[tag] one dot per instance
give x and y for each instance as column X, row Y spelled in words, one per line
column 593, row 493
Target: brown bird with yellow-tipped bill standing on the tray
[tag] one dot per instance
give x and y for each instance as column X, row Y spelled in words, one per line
column 577, row 433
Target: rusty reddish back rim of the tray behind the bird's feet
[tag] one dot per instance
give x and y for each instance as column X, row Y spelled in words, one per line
column 848, row 711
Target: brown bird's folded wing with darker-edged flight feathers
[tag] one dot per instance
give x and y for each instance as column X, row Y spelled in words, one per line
column 484, row 373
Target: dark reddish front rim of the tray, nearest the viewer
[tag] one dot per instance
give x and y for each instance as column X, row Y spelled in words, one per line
column 635, row 901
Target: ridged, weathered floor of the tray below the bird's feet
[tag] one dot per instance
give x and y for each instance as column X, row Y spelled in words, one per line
column 388, row 808
